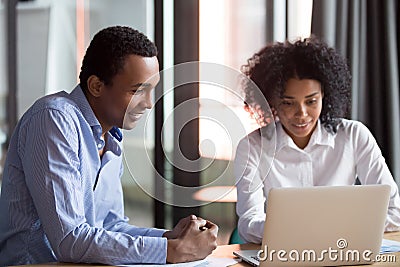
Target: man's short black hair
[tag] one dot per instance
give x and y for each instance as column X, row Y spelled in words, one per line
column 108, row 50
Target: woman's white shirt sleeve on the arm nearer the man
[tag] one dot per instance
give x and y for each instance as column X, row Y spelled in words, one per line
column 250, row 203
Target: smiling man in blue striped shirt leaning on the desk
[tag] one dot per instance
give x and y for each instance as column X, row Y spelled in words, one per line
column 61, row 197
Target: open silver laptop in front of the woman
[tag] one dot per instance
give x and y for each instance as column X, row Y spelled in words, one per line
column 322, row 226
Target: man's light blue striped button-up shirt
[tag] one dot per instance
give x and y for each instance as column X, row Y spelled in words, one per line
column 52, row 208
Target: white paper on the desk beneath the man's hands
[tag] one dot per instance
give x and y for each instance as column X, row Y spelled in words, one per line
column 207, row 262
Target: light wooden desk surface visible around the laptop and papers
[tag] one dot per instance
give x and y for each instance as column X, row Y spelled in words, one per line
column 226, row 252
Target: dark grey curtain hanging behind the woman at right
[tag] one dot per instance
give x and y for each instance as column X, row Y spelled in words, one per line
column 366, row 32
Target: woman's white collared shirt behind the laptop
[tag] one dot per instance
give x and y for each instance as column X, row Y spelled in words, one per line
column 265, row 160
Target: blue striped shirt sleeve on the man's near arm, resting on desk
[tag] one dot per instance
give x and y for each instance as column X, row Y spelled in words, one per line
column 50, row 158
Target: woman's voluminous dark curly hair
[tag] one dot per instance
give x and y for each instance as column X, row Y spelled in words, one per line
column 311, row 58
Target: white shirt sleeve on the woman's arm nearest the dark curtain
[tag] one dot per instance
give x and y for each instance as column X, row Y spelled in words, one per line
column 371, row 168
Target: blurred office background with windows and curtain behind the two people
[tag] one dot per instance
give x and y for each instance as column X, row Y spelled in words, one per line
column 43, row 42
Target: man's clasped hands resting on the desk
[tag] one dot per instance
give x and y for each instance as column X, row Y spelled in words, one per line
column 193, row 238
